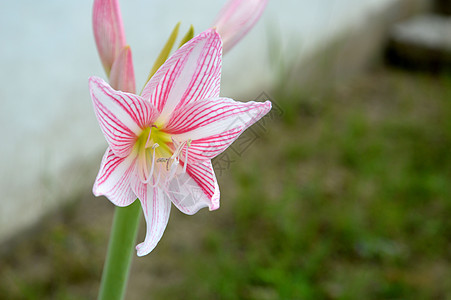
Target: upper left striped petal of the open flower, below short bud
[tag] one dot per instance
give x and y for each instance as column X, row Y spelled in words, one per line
column 121, row 116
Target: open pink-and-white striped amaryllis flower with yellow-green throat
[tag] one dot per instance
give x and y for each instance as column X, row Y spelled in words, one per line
column 161, row 143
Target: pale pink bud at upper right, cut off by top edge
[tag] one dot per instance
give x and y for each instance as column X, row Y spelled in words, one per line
column 236, row 18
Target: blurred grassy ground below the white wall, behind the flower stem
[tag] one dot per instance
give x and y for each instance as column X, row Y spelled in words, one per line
column 343, row 196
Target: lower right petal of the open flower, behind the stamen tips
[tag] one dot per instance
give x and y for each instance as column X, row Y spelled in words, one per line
column 195, row 189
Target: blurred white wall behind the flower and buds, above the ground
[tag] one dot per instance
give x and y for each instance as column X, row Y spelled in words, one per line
column 49, row 131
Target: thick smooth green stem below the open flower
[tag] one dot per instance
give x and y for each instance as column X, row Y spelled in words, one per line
column 120, row 252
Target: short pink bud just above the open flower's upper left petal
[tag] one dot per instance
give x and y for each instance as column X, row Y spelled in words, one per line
column 122, row 76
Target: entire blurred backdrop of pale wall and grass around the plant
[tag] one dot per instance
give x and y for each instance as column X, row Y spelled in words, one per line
column 342, row 192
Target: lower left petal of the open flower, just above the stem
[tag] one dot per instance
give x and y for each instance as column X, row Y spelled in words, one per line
column 113, row 180
